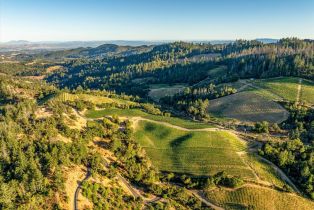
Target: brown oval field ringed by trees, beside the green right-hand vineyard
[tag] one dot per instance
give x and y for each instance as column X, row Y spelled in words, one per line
column 246, row 106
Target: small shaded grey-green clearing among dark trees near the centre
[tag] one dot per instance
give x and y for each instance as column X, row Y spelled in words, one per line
column 159, row 91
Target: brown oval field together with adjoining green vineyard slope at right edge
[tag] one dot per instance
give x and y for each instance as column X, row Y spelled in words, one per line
column 255, row 102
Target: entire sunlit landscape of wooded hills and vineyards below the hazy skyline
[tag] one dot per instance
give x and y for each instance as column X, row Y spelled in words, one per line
column 171, row 126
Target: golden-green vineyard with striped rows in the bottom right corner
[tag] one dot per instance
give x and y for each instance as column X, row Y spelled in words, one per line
column 259, row 198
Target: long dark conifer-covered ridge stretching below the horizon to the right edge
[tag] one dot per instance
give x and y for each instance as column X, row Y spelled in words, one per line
column 169, row 63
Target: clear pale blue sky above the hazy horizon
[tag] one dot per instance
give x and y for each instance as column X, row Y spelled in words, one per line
column 74, row 20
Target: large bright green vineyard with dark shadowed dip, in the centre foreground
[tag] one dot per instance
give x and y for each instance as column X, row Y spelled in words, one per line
column 192, row 152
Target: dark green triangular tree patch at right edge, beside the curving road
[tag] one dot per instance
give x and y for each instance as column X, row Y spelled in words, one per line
column 296, row 159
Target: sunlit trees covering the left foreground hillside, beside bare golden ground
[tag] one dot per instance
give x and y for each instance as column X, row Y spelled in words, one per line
column 32, row 158
